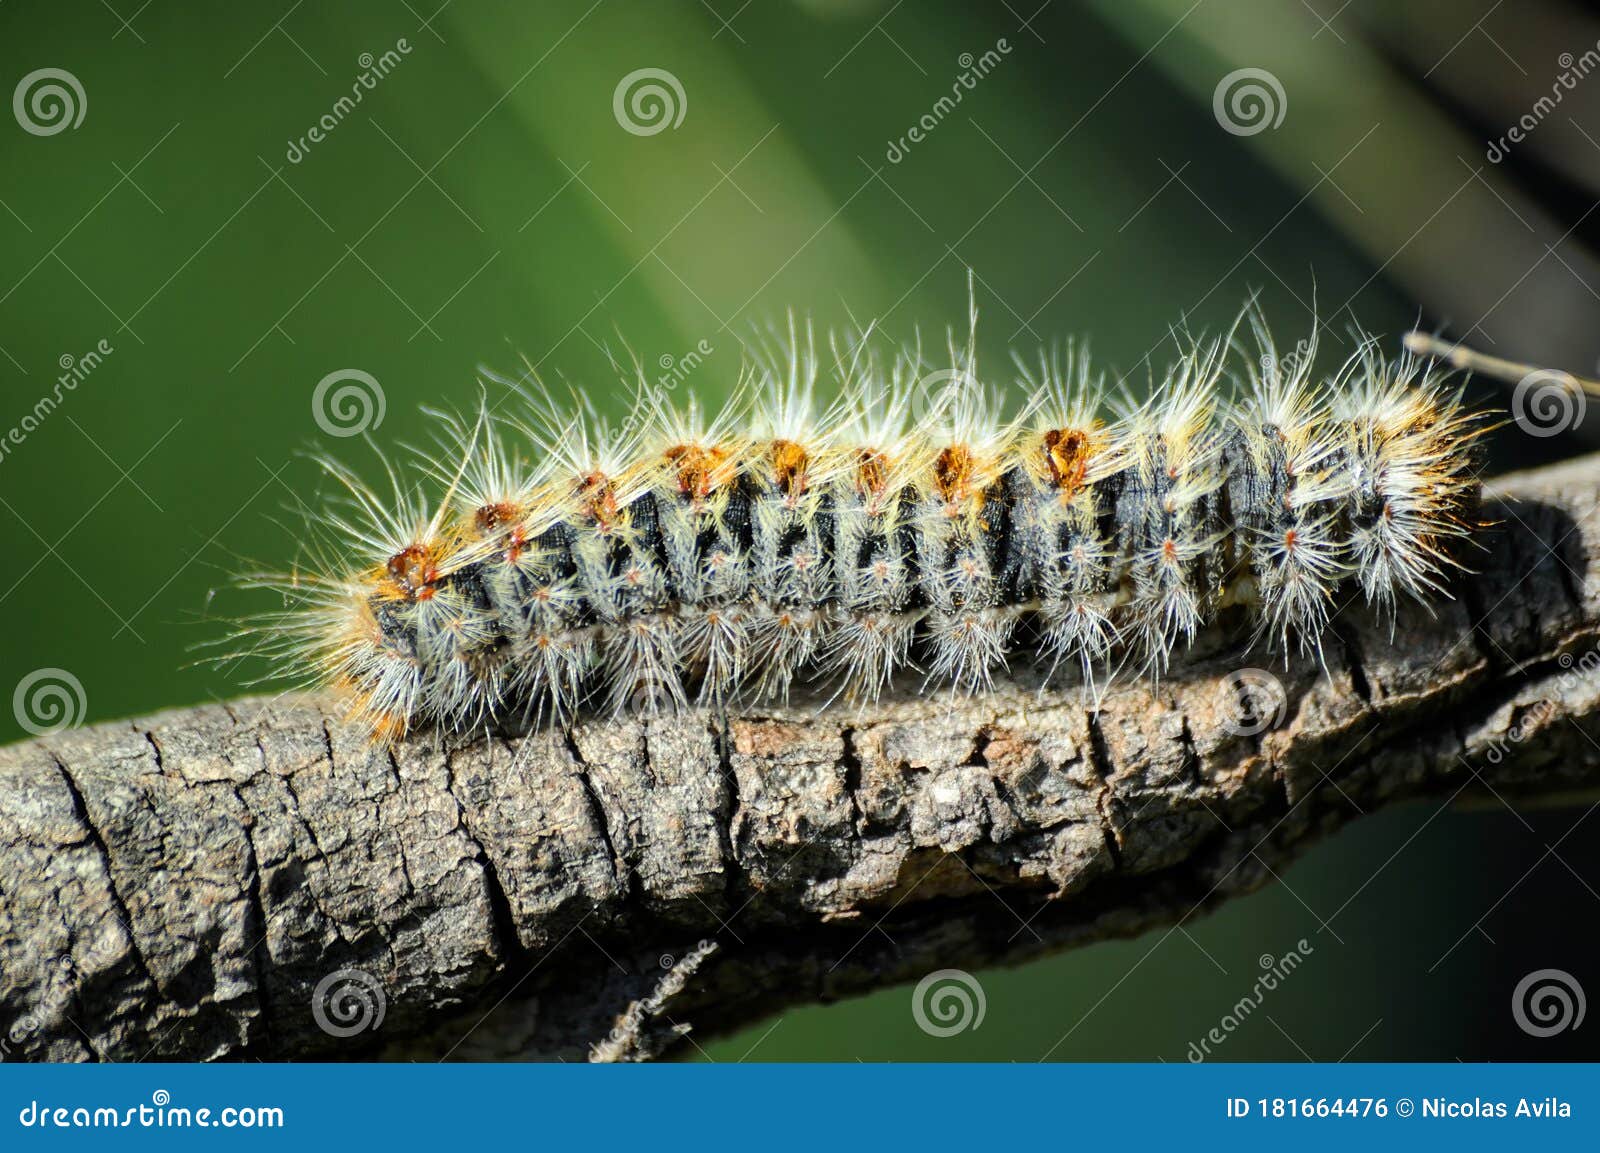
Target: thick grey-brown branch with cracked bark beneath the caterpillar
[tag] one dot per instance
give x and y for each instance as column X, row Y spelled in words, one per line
column 178, row 887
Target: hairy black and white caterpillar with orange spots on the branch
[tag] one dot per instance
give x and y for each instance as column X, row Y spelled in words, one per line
column 911, row 529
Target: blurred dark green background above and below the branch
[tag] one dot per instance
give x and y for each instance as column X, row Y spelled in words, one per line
column 484, row 204
